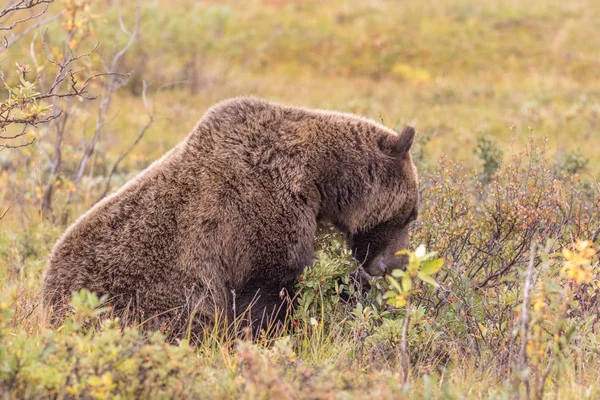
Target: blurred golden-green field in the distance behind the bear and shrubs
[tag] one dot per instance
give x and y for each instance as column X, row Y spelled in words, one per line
column 457, row 70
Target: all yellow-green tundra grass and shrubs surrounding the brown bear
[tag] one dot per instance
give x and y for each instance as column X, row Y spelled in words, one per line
column 500, row 298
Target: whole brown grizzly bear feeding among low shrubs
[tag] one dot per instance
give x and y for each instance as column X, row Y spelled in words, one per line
column 225, row 222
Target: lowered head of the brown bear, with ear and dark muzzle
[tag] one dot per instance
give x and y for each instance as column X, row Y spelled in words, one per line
column 381, row 220
